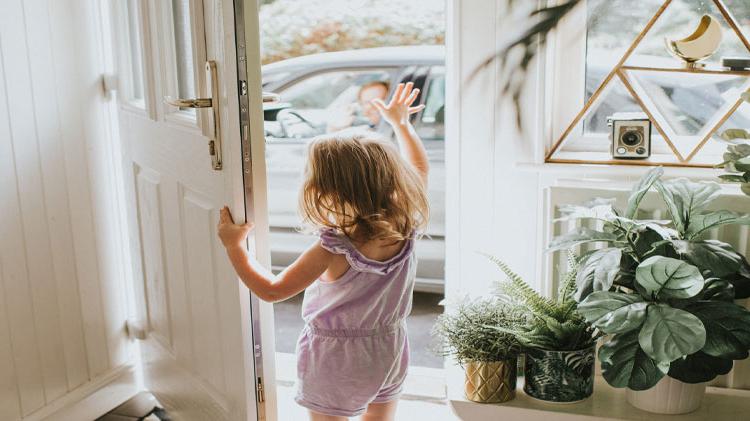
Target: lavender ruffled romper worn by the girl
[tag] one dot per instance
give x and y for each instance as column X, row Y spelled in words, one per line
column 353, row 350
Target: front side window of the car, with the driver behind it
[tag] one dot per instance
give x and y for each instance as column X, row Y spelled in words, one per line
column 329, row 101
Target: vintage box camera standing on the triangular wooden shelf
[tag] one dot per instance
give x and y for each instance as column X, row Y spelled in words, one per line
column 630, row 136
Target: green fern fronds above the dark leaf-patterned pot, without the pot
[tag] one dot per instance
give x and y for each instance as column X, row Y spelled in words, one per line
column 551, row 323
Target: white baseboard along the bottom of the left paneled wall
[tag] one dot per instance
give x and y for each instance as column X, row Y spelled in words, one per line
column 93, row 399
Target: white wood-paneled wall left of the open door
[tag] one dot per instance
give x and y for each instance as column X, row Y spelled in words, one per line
column 62, row 302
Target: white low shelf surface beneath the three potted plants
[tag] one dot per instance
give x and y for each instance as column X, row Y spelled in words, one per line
column 607, row 403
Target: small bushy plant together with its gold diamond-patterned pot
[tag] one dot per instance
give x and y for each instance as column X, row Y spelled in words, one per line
column 489, row 357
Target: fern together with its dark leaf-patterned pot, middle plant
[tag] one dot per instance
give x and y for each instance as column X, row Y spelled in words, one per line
column 558, row 342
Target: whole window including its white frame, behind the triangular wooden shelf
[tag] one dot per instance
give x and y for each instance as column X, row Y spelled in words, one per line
column 687, row 105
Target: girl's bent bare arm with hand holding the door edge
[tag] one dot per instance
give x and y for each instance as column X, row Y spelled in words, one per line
column 267, row 286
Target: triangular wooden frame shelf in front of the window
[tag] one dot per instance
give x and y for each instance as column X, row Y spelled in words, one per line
column 622, row 71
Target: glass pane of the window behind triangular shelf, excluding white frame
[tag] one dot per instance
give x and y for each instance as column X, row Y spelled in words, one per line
column 687, row 102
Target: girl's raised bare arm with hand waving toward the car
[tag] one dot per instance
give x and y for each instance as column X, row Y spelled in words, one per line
column 397, row 113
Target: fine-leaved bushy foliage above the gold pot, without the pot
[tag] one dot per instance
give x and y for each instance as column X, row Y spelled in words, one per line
column 470, row 331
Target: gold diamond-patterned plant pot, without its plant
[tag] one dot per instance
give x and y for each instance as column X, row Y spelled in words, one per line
column 490, row 382
